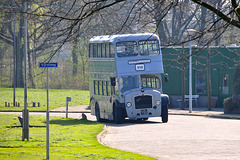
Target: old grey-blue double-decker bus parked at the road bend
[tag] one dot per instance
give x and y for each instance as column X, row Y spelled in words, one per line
column 125, row 77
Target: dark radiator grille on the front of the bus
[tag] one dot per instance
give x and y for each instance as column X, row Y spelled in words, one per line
column 143, row 102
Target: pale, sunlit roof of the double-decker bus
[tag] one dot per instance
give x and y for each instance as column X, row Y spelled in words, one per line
column 123, row 37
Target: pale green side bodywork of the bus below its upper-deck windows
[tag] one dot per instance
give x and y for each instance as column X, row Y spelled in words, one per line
column 100, row 71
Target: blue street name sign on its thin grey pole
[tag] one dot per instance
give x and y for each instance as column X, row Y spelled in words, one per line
column 48, row 65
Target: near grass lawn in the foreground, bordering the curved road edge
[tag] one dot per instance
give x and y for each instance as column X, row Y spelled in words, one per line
column 69, row 139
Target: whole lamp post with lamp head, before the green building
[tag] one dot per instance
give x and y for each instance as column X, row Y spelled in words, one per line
column 190, row 32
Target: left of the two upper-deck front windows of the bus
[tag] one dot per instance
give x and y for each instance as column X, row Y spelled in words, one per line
column 126, row 49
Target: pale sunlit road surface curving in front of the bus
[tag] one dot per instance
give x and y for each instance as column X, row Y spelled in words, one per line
column 182, row 138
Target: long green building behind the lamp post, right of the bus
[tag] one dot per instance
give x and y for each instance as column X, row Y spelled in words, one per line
column 221, row 66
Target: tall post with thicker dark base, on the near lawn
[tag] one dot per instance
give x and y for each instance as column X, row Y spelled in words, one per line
column 25, row 111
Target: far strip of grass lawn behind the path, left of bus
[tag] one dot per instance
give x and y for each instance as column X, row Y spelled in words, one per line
column 57, row 98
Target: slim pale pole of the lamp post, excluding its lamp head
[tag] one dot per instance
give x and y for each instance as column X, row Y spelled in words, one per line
column 190, row 77
